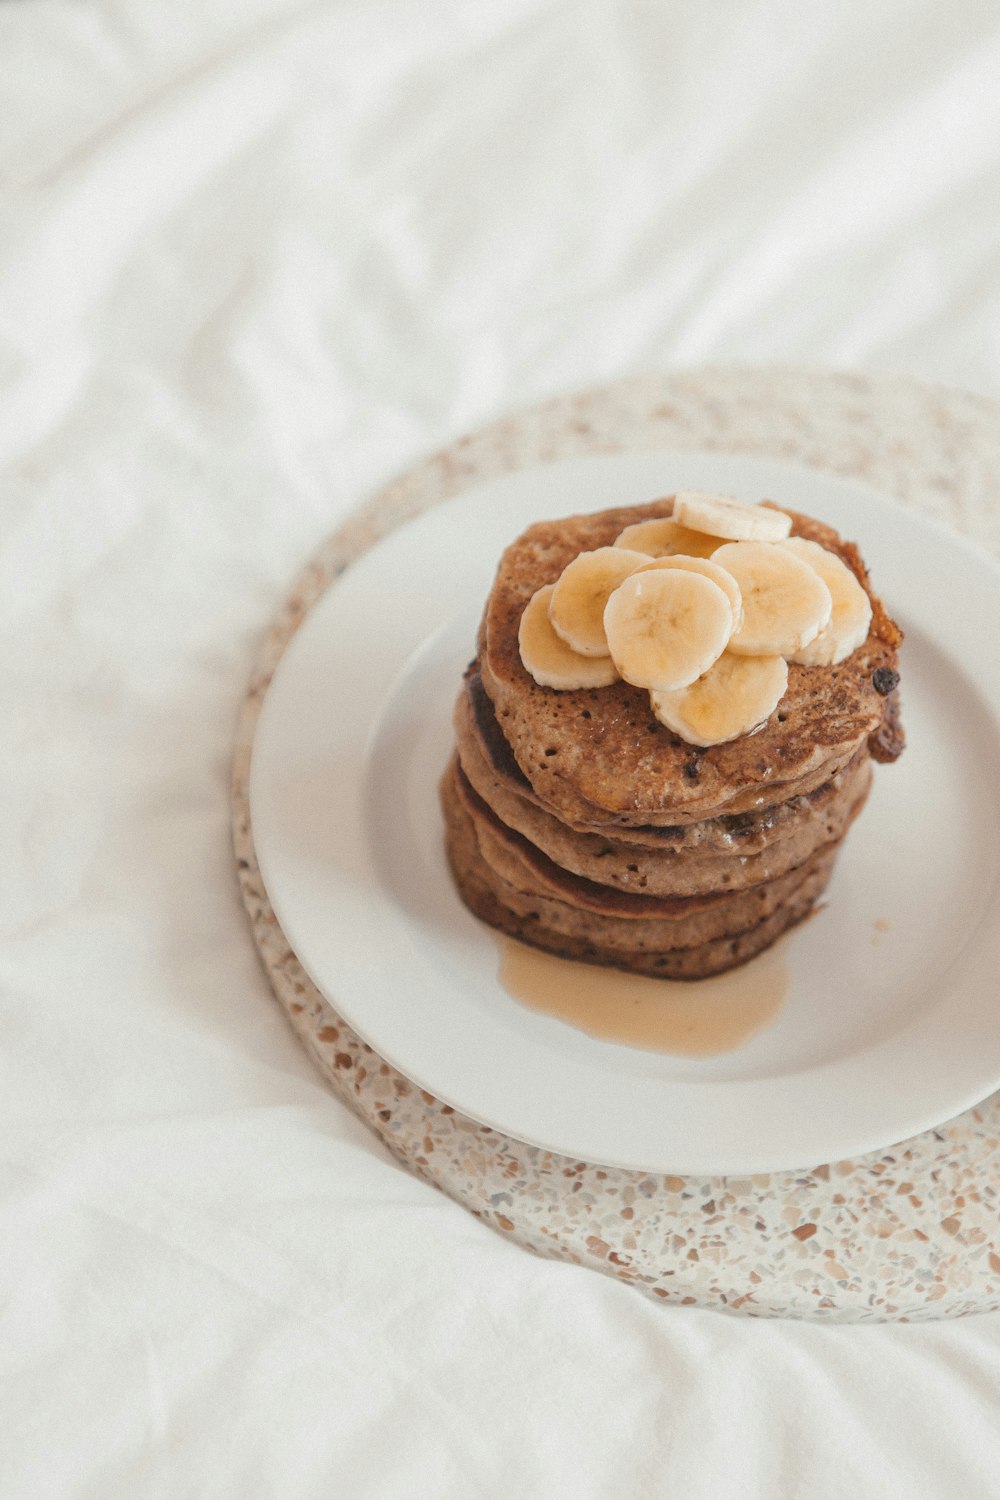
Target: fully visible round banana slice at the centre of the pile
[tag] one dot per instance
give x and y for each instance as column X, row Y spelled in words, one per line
column 668, row 626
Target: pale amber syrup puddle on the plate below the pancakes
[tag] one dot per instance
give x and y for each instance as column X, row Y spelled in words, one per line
column 686, row 1018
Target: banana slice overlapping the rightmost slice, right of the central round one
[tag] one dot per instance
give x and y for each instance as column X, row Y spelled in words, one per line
column 786, row 604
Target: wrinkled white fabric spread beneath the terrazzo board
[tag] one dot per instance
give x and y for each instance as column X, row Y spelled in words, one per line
column 254, row 260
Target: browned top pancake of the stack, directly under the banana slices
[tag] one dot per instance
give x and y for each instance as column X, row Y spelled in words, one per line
column 600, row 757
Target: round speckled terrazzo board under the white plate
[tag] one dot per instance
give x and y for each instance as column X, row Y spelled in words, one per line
column 912, row 1232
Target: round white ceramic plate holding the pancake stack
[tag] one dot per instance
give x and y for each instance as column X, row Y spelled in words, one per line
column 888, row 1031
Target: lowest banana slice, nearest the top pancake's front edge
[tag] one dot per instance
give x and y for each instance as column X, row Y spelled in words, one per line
column 732, row 698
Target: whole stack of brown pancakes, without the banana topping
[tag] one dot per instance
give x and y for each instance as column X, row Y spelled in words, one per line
column 576, row 821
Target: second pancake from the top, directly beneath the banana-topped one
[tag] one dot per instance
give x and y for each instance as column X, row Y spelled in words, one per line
column 714, row 856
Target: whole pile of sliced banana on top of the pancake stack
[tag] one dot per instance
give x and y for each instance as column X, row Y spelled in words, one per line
column 705, row 610
